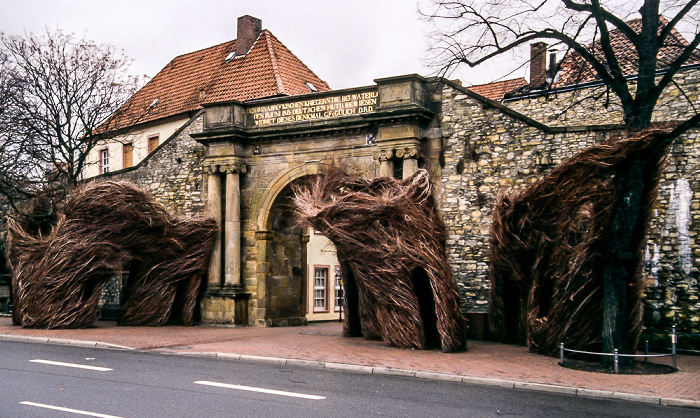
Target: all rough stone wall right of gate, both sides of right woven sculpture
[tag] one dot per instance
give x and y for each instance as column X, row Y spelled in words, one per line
column 499, row 151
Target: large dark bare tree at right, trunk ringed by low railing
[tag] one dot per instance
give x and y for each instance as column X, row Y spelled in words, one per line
column 471, row 32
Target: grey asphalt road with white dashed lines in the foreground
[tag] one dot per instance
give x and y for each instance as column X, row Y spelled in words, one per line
column 43, row 380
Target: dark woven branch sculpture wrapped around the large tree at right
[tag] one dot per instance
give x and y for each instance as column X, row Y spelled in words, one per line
column 548, row 249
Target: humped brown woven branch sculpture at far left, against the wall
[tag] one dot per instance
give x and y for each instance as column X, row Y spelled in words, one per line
column 106, row 228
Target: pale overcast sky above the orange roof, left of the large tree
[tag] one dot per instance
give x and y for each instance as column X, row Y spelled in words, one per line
column 348, row 43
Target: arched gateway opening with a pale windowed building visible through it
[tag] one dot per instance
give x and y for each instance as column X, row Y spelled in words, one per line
column 302, row 276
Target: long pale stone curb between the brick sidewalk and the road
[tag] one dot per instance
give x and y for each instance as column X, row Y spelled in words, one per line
column 470, row 380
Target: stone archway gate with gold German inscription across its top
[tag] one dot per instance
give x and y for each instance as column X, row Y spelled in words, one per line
column 254, row 150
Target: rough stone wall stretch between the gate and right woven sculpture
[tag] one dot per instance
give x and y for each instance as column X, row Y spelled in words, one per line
column 485, row 151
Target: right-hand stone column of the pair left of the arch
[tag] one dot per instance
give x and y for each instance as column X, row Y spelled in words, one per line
column 232, row 225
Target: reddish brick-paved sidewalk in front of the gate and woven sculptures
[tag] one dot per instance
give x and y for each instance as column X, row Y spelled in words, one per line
column 321, row 345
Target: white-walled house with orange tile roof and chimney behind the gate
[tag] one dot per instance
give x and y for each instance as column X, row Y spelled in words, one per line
column 255, row 65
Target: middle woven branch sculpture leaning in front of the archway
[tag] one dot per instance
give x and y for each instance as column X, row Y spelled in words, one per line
column 391, row 244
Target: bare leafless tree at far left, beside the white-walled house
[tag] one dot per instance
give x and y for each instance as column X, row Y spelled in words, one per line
column 57, row 93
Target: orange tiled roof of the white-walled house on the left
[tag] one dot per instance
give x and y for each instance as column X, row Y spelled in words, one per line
column 207, row 76
